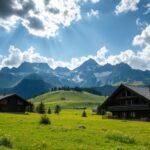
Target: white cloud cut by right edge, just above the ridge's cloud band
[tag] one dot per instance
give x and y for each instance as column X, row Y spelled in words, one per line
column 143, row 39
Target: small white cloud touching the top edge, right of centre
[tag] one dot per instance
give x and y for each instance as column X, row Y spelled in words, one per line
column 126, row 6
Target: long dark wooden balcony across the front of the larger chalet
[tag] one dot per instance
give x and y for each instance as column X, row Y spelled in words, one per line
column 128, row 107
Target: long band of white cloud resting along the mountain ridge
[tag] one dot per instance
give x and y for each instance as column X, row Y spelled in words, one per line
column 137, row 60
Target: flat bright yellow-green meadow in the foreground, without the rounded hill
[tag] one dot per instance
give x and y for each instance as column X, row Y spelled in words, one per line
column 64, row 133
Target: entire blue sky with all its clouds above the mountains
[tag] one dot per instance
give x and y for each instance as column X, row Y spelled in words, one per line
column 68, row 32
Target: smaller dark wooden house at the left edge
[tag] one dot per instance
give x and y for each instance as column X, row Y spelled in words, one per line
column 13, row 103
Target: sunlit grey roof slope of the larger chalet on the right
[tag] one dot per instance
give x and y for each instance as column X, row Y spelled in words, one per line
column 143, row 91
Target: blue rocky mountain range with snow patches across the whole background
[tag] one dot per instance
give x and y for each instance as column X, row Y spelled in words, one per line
column 32, row 79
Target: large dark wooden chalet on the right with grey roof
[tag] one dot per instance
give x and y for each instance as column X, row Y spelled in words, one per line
column 128, row 102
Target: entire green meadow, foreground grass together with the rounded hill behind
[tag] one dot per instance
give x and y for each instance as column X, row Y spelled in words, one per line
column 69, row 130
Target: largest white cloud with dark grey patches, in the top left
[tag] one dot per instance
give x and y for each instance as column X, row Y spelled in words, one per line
column 41, row 18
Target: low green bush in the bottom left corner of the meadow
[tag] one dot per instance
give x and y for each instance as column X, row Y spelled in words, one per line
column 5, row 141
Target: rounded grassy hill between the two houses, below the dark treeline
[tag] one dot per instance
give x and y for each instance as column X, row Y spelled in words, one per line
column 72, row 99
